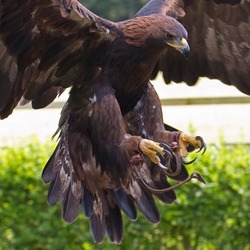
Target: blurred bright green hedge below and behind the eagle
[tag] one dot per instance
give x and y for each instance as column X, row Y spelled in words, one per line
column 212, row 216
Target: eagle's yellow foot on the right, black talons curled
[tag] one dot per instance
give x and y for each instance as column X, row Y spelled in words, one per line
column 189, row 143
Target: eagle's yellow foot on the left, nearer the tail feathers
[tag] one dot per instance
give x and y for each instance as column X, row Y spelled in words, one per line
column 155, row 150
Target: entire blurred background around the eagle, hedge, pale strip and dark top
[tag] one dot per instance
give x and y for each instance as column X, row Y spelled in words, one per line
column 212, row 216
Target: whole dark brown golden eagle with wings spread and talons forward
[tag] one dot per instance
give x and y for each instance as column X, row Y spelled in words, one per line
column 113, row 151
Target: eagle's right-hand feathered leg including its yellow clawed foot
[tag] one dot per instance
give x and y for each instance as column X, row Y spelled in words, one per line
column 146, row 119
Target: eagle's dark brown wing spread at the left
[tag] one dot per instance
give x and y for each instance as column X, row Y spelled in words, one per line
column 44, row 48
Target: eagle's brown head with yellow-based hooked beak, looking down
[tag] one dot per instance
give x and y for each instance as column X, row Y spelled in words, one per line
column 156, row 31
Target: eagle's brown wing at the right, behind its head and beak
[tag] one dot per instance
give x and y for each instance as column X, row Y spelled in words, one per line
column 219, row 37
